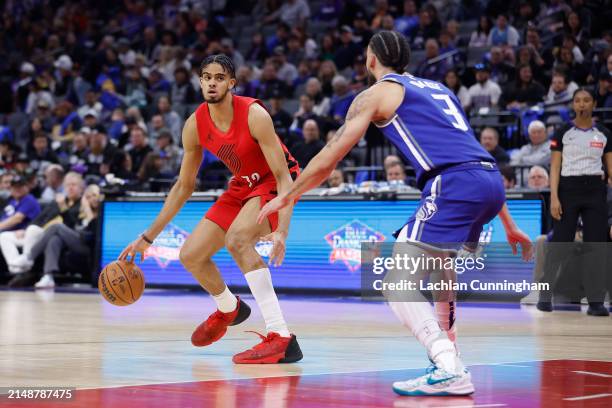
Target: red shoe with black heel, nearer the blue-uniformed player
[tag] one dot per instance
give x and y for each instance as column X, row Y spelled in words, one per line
column 273, row 349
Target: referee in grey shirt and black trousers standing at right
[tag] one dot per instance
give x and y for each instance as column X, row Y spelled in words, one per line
column 578, row 189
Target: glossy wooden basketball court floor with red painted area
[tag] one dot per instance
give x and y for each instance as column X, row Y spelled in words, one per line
column 141, row 355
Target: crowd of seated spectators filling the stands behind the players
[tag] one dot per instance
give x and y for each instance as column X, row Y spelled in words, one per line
column 102, row 89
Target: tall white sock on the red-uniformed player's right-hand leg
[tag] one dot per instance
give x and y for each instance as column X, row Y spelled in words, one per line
column 260, row 282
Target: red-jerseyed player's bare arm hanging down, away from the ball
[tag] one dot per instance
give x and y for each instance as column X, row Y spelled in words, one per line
column 262, row 129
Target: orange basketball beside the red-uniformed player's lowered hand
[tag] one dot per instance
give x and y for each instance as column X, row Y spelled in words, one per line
column 121, row 283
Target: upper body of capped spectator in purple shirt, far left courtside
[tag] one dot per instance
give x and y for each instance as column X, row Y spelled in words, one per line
column 21, row 208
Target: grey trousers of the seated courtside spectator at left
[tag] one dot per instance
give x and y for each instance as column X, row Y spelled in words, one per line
column 55, row 239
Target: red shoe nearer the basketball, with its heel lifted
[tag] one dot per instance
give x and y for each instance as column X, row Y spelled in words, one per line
column 216, row 325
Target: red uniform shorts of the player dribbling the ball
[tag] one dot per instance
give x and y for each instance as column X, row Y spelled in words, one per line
column 225, row 210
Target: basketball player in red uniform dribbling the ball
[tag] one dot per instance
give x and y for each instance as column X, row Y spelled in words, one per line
column 239, row 131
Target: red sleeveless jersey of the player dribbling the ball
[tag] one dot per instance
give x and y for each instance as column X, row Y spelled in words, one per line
column 237, row 148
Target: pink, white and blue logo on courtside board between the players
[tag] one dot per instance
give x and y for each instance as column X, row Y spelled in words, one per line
column 346, row 243
